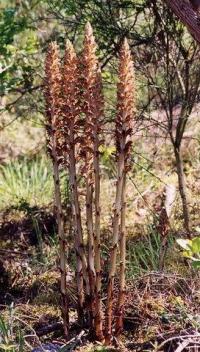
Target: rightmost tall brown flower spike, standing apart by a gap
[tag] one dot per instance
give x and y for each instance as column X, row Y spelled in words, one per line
column 123, row 136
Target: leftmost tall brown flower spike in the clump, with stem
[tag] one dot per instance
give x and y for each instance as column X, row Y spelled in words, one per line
column 53, row 97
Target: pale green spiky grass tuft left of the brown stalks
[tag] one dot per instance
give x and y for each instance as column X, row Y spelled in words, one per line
column 26, row 181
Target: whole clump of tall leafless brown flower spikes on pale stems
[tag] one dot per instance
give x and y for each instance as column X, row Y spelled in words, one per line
column 74, row 99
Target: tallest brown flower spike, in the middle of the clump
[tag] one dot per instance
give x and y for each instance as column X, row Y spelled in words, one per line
column 93, row 110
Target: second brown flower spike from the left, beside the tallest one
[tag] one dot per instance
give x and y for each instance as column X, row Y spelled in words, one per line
column 71, row 126
